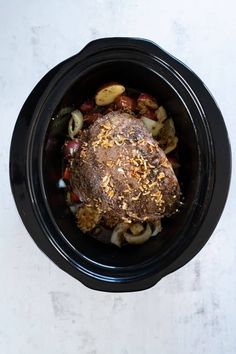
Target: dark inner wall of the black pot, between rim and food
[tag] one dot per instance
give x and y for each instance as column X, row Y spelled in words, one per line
column 135, row 76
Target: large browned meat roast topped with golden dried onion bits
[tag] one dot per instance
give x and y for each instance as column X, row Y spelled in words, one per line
column 122, row 172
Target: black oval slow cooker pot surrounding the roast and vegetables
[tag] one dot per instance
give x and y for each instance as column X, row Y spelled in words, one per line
column 35, row 164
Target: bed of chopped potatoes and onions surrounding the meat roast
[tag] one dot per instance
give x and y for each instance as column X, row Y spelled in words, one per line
column 112, row 97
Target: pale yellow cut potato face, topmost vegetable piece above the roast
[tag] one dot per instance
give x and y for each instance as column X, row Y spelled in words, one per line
column 108, row 93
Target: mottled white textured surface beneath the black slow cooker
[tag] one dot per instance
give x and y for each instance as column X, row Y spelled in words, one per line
column 42, row 309
